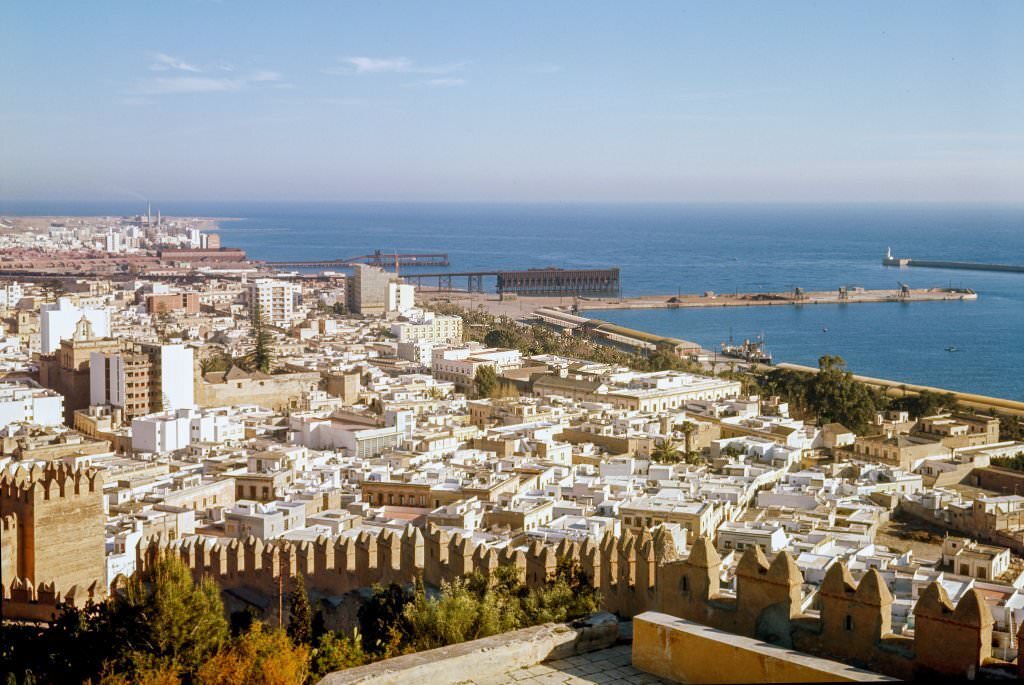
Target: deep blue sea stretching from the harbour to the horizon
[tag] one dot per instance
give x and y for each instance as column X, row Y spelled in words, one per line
column 694, row 248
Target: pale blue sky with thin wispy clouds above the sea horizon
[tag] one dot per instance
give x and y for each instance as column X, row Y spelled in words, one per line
column 479, row 101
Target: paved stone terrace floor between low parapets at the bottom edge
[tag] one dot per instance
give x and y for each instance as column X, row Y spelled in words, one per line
column 605, row 667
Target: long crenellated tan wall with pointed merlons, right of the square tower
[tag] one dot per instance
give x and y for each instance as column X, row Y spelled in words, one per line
column 636, row 574
